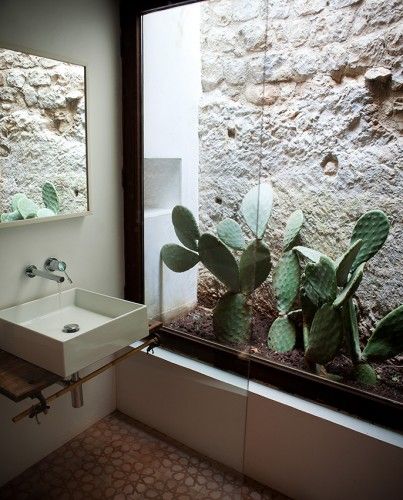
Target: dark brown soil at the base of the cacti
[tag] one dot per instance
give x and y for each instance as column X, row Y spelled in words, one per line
column 198, row 322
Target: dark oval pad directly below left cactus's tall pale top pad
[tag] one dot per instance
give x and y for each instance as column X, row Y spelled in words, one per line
column 254, row 266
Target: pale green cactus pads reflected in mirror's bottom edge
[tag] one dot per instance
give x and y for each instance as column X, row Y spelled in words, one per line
column 24, row 208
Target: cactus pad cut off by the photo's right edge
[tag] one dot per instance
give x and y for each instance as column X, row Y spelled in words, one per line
column 387, row 339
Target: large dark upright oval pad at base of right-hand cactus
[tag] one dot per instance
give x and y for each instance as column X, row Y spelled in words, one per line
column 325, row 335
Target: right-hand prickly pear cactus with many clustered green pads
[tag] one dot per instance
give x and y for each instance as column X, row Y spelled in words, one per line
column 325, row 294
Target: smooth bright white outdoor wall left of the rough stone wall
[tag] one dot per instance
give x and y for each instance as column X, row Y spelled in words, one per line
column 172, row 89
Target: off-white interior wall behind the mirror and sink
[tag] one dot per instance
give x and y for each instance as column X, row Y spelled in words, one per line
column 86, row 31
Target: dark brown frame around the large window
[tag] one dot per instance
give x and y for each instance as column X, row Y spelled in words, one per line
column 362, row 404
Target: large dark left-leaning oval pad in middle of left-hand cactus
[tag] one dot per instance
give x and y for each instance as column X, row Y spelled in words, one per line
column 219, row 261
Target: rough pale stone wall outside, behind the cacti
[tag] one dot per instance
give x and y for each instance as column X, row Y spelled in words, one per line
column 332, row 123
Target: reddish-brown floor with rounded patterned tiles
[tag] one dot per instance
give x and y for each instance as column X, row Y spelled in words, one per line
column 119, row 458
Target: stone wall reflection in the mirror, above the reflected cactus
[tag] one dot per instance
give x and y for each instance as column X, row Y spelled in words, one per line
column 42, row 131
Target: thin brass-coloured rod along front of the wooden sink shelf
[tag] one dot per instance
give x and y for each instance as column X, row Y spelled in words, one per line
column 151, row 341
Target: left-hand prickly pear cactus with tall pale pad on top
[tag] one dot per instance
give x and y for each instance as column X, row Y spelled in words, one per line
column 240, row 273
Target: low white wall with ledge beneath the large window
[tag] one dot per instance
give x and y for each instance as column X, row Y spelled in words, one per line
column 302, row 449
